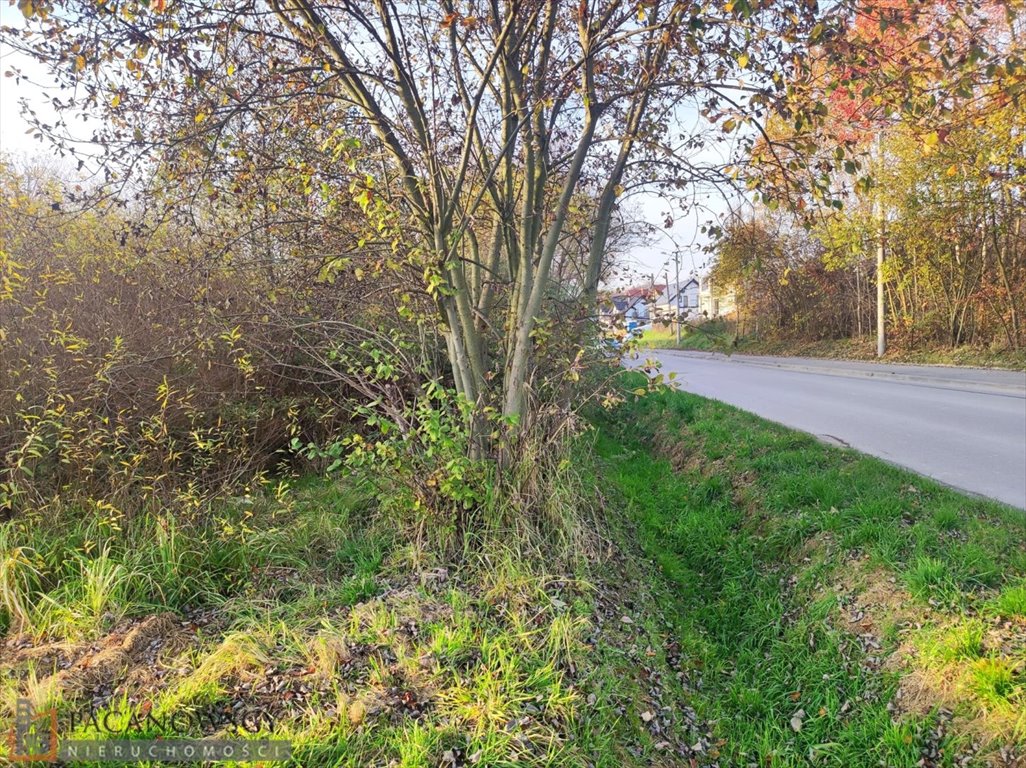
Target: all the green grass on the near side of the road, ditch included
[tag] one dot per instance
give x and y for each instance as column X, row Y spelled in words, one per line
column 748, row 597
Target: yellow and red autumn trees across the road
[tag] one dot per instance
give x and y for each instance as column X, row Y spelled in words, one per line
column 942, row 187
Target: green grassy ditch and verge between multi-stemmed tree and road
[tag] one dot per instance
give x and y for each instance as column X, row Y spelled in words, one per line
column 831, row 610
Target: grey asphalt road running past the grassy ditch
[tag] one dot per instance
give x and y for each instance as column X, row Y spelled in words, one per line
column 964, row 427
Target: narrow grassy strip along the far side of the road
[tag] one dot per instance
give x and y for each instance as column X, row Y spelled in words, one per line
column 719, row 337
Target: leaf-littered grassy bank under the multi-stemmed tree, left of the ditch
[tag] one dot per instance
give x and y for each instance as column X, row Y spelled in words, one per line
column 304, row 617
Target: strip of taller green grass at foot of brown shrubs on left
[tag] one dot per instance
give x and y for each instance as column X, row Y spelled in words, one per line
column 76, row 581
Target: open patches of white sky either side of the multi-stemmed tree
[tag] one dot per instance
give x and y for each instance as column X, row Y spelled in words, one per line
column 640, row 265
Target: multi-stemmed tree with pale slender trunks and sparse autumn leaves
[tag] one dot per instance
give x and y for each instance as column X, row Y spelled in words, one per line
column 467, row 132
